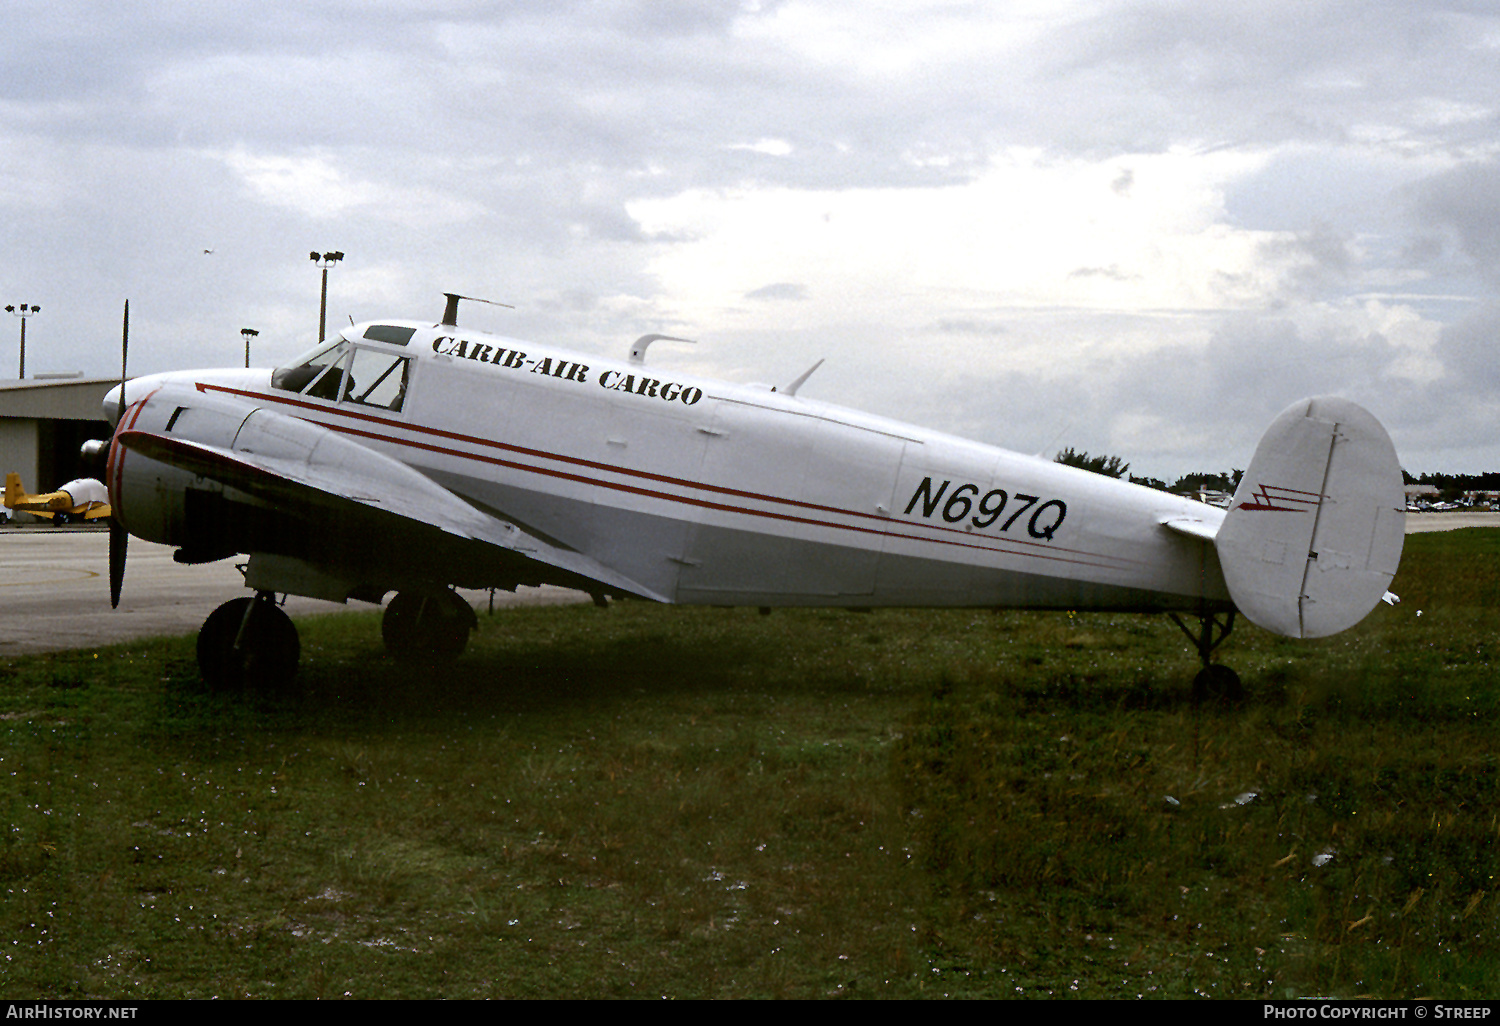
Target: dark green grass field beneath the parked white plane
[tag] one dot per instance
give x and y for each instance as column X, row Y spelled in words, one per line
column 707, row 803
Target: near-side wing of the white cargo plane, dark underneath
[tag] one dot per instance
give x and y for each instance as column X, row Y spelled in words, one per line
column 359, row 509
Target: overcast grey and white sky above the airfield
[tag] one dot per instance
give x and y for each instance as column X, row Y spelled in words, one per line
column 1139, row 229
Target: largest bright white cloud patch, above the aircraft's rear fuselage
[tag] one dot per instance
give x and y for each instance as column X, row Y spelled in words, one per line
column 1030, row 232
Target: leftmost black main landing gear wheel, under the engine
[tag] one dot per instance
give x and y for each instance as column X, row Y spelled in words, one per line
column 248, row 643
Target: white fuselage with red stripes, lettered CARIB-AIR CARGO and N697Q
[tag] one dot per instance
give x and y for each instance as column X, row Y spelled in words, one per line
column 722, row 494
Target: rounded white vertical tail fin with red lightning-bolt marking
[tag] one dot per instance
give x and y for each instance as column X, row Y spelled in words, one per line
column 1316, row 529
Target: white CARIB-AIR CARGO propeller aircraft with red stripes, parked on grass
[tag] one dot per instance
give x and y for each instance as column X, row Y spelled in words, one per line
column 416, row 458
